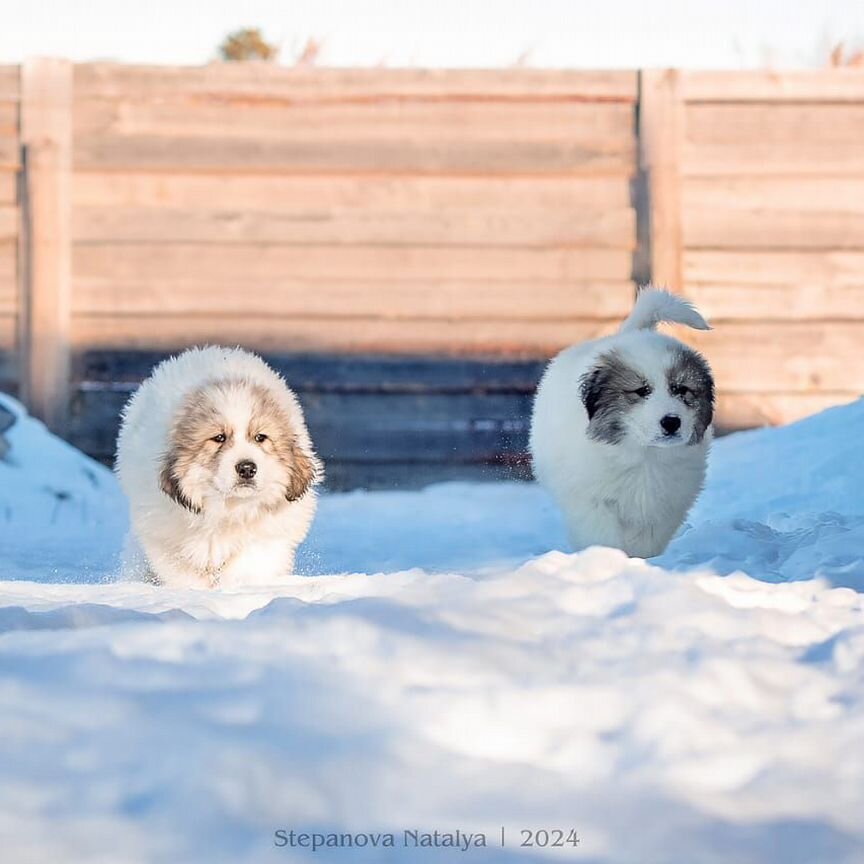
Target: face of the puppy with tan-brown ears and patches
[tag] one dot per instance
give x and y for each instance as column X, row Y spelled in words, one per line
column 233, row 441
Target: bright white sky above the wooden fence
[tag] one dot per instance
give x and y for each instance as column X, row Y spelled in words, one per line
column 601, row 33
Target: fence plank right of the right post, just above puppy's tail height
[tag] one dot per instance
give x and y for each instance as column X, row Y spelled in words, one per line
column 827, row 269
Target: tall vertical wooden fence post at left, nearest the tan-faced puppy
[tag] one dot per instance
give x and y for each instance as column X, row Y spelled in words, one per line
column 45, row 263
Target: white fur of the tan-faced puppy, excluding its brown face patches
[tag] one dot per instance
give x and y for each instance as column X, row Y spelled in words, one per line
column 232, row 541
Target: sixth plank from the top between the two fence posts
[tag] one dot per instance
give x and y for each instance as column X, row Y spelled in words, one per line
column 255, row 265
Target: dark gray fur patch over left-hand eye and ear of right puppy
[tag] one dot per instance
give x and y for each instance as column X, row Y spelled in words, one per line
column 608, row 392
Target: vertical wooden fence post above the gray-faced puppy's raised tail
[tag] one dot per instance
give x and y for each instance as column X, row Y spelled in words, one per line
column 661, row 132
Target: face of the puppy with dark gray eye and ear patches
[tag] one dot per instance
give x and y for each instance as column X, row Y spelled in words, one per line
column 653, row 398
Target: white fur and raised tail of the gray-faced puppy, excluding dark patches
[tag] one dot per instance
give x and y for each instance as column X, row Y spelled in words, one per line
column 633, row 495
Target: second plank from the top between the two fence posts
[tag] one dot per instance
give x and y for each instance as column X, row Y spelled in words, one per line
column 220, row 117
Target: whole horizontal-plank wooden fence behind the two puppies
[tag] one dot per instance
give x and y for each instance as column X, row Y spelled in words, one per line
column 408, row 246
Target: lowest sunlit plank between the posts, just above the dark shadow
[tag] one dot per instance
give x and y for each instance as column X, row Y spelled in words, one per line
column 355, row 335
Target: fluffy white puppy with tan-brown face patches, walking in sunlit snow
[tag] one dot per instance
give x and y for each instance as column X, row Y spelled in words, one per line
column 216, row 461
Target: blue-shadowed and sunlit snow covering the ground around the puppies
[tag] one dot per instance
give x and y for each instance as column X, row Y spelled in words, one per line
column 438, row 667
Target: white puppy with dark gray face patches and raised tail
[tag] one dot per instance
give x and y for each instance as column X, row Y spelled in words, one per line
column 621, row 430
